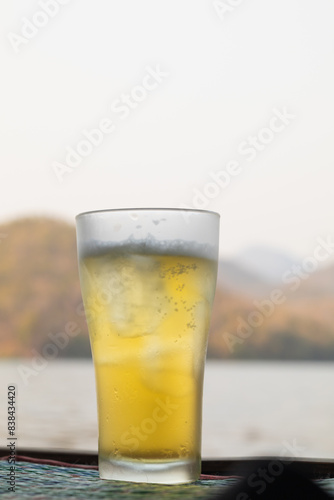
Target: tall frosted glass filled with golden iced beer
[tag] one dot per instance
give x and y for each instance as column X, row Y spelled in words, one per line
column 148, row 280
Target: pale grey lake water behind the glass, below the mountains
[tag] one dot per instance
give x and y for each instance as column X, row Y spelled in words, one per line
column 250, row 408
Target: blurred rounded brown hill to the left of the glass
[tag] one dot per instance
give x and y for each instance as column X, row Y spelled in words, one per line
column 39, row 287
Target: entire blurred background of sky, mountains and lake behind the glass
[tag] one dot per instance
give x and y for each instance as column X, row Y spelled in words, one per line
column 220, row 105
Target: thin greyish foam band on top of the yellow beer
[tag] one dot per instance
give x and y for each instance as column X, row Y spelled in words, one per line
column 148, row 246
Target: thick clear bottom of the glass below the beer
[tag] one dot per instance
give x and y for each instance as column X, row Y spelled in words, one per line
column 143, row 471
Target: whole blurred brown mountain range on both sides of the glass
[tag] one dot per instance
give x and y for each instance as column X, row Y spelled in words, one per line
column 255, row 316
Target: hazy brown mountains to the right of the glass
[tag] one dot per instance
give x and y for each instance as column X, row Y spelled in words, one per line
column 287, row 319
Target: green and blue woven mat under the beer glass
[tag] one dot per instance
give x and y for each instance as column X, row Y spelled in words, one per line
column 42, row 481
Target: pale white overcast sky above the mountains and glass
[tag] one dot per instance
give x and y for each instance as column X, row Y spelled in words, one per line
column 223, row 105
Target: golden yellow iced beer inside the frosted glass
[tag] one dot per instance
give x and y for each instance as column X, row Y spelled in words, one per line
column 148, row 312
